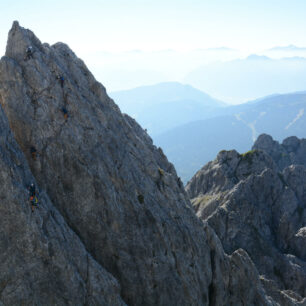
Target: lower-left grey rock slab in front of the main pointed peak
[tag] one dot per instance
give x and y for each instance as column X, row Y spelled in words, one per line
column 43, row 262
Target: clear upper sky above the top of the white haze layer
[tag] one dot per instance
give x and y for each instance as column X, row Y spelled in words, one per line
column 154, row 25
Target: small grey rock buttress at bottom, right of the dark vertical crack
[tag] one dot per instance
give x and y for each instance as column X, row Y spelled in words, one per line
column 235, row 280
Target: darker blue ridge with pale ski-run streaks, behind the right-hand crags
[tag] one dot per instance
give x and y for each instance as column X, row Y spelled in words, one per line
column 192, row 145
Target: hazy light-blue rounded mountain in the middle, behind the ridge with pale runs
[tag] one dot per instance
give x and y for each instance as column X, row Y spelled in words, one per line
column 163, row 106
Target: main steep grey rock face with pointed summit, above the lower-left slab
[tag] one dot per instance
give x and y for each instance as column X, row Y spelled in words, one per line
column 116, row 191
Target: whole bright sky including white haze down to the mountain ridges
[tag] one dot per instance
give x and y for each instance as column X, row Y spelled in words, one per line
column 129, row 43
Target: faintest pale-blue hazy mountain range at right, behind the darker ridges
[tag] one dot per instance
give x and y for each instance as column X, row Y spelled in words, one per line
column 240, row 80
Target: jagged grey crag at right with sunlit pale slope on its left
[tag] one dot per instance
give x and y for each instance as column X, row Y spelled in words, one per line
column 253, row 206
